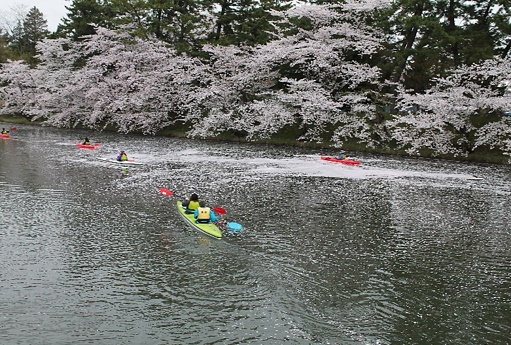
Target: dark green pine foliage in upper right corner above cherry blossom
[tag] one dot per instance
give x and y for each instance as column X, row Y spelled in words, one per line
column 426, row 38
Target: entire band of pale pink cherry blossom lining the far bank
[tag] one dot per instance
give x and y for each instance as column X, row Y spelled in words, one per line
column 307, row 79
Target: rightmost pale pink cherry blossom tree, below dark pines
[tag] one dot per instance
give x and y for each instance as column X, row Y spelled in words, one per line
column 442, row 119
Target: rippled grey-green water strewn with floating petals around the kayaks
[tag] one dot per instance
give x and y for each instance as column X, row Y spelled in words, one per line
column 396, row 251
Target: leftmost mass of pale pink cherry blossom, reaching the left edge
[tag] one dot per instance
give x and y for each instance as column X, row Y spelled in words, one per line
column 126, row 82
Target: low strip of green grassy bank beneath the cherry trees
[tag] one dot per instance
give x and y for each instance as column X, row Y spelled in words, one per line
column 287, row 137
